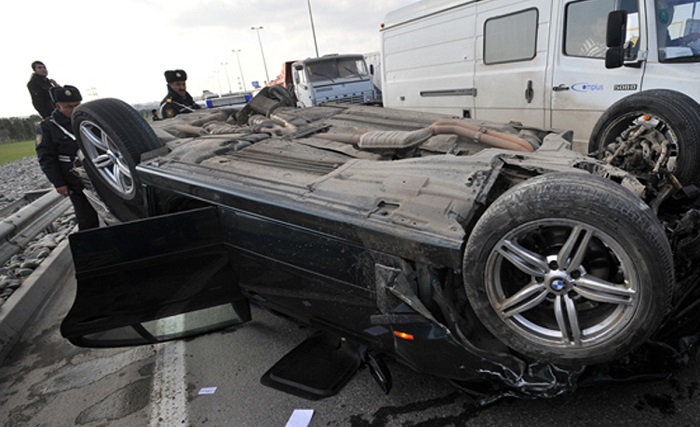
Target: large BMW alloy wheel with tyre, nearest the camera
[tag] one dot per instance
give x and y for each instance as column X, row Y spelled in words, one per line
column 569, row 268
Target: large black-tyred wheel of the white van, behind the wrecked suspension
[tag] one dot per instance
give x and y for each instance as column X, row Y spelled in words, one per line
column 660, row 126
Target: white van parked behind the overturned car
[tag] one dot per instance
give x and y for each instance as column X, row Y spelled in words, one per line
column 542, row 62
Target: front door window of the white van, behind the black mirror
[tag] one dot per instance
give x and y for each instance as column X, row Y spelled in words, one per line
column 585, row 27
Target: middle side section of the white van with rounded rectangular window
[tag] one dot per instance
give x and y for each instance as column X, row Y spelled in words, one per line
column 511, row 60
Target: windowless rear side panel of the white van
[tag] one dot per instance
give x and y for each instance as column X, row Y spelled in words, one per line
column 428, row 58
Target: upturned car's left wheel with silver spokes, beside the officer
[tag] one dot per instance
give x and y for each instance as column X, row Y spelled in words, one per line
column 112, row 136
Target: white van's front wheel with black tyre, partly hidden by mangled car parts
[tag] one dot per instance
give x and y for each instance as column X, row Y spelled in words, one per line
column 675, row 116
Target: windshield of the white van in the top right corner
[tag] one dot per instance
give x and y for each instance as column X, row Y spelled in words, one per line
column 678, row 30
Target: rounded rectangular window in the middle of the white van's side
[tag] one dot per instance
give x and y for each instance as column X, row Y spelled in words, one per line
column 511, row 37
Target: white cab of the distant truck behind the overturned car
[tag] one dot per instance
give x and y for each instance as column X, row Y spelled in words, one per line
column 332, row 78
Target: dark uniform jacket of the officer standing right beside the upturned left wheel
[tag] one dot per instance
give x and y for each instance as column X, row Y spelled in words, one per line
column 57, row 150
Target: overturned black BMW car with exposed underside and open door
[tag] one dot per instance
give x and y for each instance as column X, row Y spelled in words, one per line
column 489, row 254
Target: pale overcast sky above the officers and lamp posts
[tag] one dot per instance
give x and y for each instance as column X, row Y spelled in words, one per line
column 121, row 49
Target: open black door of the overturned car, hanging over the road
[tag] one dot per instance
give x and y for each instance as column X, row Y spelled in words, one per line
column 153, row 280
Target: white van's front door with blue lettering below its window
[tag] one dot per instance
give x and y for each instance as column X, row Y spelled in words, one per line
column 582, row 88
